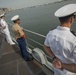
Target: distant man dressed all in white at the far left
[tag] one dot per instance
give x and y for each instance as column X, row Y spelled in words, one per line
column 5, row 29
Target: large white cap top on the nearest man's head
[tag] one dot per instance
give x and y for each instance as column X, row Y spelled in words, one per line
column 66, row 10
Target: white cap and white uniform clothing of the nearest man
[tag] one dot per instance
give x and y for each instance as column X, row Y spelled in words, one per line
column 62, row 42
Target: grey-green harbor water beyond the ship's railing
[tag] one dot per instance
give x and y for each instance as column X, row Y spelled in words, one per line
column 39, row 19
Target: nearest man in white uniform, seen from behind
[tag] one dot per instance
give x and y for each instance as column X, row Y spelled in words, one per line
column 60, row 43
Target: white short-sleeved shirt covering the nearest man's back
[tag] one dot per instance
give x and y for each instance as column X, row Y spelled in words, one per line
column 62, row 43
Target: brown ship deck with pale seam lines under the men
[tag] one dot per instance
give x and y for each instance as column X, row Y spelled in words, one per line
column 11, row 62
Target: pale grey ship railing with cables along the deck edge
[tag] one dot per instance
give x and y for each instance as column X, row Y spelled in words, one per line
column 43, row 57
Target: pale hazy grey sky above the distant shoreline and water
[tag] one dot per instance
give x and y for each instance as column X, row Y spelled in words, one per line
column 17, row 4
